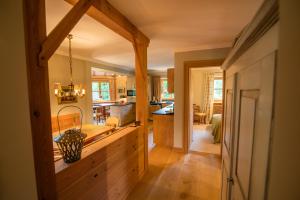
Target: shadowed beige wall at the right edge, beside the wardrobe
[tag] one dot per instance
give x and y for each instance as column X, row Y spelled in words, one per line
column 285, row 163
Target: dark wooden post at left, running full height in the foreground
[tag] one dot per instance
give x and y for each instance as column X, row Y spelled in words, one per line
column 38, row 85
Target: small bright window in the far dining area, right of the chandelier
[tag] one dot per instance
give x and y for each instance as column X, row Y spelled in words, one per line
column 101, row 91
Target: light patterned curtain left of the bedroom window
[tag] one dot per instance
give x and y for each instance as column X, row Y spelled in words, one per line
column 208, row 94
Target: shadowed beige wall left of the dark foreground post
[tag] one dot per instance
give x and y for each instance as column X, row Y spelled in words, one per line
column 17, row 176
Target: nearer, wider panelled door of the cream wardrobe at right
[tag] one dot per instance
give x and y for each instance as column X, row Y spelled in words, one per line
column 253, row 119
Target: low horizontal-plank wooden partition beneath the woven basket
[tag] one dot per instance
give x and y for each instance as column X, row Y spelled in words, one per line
column 108, row 169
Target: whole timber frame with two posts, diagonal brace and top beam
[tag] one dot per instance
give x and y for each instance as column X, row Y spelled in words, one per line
column 40, row 47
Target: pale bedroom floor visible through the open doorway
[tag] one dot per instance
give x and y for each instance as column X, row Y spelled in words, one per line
column 203, row 141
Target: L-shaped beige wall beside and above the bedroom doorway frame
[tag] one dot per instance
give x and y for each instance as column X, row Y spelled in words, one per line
column 180, row 57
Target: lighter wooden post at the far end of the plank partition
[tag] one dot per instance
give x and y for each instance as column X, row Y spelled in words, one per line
column 140, row 48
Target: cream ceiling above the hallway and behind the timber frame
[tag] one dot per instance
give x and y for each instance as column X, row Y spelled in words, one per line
column 171, row 25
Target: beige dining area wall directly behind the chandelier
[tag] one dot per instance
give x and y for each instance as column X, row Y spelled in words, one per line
column 59, row 72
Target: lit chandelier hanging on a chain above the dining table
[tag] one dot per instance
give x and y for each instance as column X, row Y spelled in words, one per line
column 69, row 93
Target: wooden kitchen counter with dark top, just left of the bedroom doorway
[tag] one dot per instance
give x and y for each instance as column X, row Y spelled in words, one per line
column 163, row 126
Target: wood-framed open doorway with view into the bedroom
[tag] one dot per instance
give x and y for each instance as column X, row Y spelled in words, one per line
column 203, row 106
